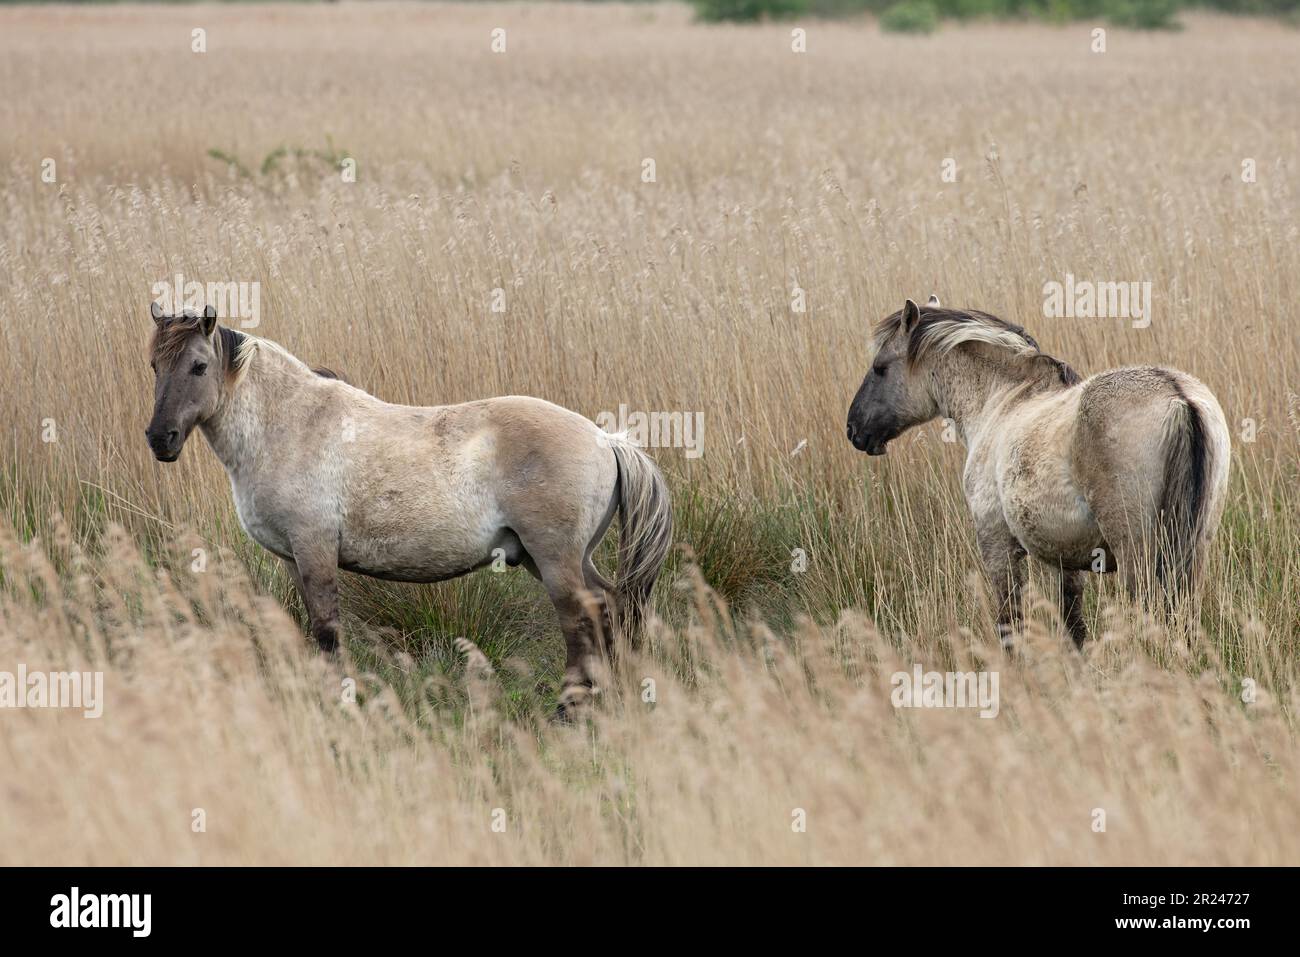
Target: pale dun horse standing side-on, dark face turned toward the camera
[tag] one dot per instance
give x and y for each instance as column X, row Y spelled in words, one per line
column 327, row 477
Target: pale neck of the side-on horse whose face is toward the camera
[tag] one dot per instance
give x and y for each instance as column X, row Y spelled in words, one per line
column 254, row 408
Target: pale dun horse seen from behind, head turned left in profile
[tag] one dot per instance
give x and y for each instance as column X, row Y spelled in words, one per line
column 1133, row 462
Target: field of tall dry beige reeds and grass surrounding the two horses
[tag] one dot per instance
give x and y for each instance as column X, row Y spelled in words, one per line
column 515, row 181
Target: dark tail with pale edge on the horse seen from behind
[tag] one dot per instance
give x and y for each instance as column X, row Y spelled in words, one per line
column 1197, row 458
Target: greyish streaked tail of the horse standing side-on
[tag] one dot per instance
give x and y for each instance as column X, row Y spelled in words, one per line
column 645, row 535
